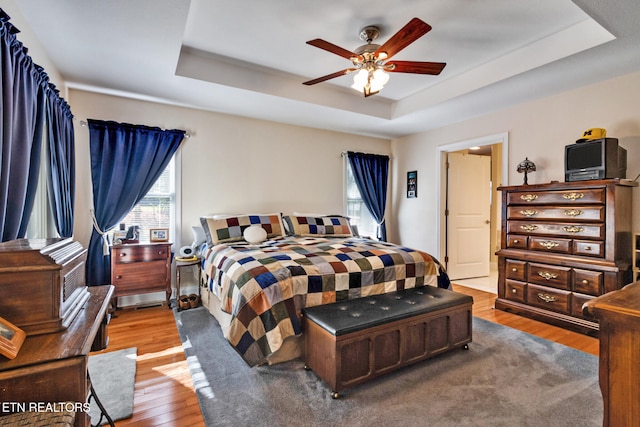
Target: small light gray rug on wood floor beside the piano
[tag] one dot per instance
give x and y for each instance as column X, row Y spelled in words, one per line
column 113, row 378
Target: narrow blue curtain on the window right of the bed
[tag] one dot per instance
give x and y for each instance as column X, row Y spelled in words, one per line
column 371, row 173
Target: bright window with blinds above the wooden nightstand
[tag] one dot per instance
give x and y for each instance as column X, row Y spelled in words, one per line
column 157, row 208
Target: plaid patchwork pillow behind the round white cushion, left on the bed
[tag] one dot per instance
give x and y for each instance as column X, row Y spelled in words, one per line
column 230, row 228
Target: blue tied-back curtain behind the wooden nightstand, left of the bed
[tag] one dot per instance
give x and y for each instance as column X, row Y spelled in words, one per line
column 126, row 160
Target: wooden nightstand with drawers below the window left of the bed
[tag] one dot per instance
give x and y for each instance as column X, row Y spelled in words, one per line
column 141, row 268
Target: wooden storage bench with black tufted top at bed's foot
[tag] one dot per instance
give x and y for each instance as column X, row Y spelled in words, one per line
column 349, row 342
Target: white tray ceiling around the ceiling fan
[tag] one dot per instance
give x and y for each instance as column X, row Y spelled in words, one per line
column 250, row 58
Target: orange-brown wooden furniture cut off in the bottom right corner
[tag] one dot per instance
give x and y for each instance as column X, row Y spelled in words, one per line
column 618, row 314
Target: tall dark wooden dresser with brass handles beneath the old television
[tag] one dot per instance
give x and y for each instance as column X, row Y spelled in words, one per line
column 563, row 244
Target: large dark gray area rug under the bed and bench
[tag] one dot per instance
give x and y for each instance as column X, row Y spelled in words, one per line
column 506, row 378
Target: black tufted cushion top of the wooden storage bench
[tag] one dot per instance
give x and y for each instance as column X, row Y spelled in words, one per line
column 344, row 317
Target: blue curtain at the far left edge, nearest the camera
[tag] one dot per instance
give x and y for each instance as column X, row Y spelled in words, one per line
column 21, row 120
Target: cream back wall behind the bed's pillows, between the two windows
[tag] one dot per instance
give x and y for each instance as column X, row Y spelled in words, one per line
column 229, row 164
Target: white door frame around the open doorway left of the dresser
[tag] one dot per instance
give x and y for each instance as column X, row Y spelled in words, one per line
column 441, row 171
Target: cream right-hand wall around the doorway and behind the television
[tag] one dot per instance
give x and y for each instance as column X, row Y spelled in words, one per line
column 538, row 130
